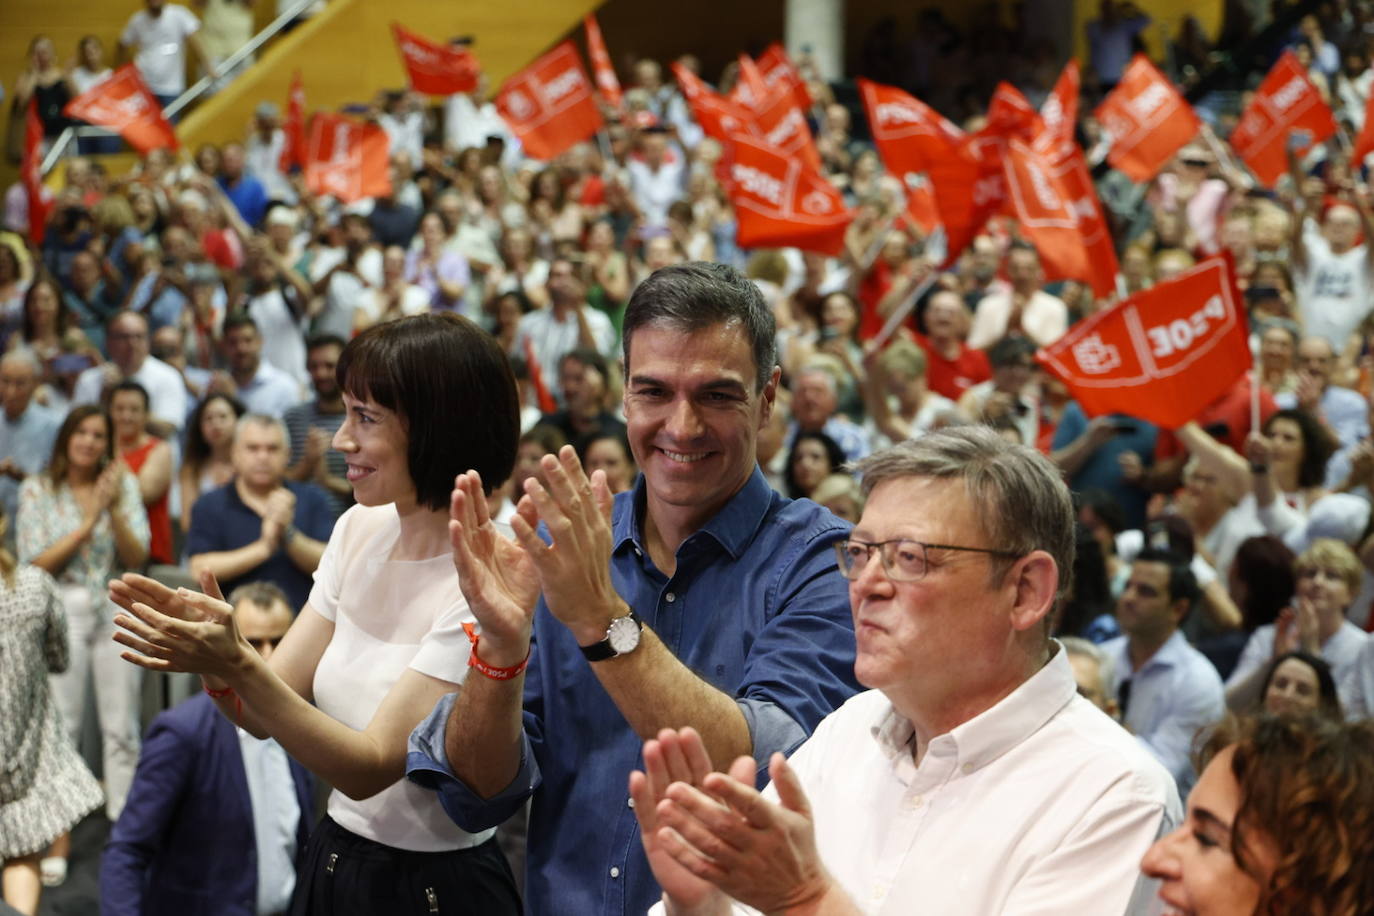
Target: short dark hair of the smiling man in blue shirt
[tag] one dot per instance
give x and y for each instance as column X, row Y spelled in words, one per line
column 699, row 296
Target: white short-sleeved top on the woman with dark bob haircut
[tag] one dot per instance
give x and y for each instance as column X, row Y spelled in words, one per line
column 390, row 616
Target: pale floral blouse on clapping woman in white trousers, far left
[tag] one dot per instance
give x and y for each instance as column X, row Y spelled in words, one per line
column 49, row 513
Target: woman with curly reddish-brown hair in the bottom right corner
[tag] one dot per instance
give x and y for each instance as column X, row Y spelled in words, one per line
column 1281, row 823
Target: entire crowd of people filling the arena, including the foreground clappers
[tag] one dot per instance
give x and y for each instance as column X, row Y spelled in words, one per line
column 662, row 466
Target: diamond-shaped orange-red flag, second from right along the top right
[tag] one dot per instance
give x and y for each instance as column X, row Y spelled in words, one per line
column 1149, row 122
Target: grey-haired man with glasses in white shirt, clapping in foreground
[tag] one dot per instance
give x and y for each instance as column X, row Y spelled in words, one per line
column 972, row 777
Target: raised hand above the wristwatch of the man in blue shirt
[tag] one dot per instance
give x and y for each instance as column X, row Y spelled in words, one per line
column 574, row 571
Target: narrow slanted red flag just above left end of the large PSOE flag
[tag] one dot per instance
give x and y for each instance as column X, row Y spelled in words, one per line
column 1045, row 211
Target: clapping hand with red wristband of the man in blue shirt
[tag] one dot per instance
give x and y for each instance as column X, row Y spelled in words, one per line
column 494, row 572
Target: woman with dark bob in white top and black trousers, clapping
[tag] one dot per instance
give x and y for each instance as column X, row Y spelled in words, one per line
column 381, row 639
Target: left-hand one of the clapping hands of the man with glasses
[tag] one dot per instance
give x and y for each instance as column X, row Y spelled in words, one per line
column 674, row 757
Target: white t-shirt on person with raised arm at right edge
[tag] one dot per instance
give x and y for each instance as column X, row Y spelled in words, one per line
column 1333, row 293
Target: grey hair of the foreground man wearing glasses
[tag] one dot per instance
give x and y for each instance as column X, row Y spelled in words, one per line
column 1019, row 496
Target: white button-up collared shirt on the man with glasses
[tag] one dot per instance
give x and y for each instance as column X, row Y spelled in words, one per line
column 1039, row 805
